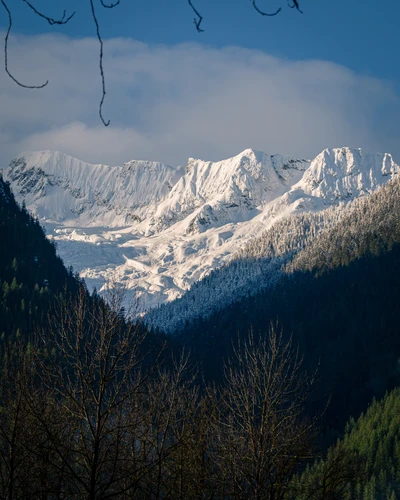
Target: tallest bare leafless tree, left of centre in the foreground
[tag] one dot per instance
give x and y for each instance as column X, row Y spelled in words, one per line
column 91, row 364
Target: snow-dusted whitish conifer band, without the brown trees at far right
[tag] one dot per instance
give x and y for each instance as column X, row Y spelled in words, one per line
column 258, row 265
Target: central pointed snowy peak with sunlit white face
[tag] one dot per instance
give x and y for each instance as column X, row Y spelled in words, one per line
column 219, row 192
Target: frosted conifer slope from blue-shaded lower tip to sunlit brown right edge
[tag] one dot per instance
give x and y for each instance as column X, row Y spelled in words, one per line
column 304, row 241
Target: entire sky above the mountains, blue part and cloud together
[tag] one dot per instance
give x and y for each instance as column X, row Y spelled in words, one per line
column 338, row 58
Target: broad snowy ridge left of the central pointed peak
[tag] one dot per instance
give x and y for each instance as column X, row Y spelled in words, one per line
column 59, row 188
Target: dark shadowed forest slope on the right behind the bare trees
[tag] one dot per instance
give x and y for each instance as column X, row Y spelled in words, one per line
column 346, row 320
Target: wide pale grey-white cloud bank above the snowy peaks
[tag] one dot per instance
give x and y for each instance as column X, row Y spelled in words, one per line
column 168, row 103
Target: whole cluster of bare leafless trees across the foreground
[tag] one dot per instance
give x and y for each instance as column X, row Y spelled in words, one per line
column 88, row 413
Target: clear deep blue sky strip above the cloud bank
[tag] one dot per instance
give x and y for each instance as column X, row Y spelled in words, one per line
column 360, row 34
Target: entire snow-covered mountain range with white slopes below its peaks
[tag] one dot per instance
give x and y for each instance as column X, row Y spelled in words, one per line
column 159, row 229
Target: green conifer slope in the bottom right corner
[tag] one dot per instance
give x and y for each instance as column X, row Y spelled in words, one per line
column 371, row 448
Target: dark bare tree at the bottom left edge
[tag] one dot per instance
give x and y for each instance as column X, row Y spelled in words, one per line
column 25, row 470
